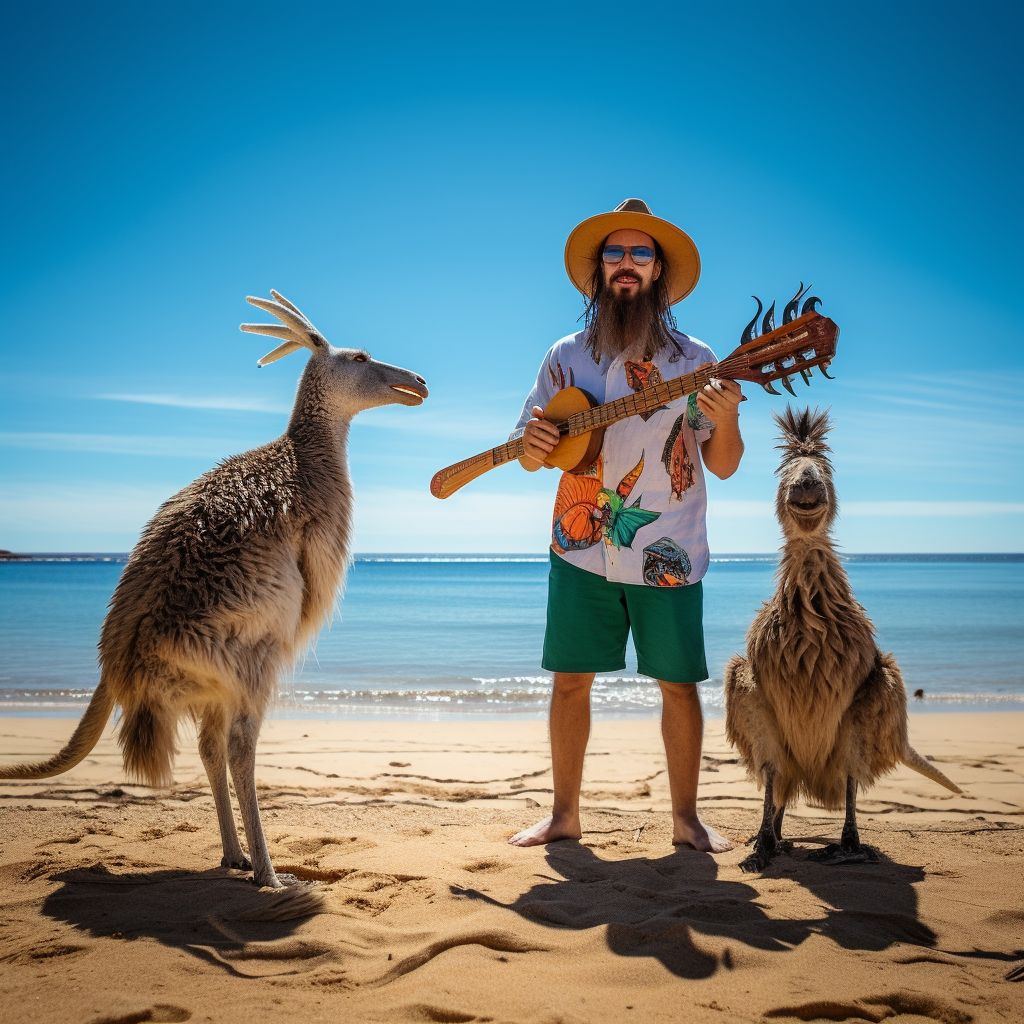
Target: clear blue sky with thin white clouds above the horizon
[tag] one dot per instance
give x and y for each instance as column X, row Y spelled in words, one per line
column 408, row 176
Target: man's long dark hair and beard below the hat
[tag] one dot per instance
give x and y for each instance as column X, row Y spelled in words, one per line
column 642, row 326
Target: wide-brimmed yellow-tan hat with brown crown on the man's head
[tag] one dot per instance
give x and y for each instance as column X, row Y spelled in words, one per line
column 681, row 262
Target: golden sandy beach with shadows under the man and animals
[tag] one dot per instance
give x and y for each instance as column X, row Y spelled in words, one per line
column 415, row 909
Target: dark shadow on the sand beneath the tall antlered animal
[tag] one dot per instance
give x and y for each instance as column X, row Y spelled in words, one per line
column 209, row 915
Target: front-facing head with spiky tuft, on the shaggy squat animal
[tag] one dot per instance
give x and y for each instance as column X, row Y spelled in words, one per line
column 805, row 503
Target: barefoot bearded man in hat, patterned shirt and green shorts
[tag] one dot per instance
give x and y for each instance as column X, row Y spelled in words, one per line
column 629, row 542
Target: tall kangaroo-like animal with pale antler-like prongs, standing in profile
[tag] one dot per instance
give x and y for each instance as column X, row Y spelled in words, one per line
column 229, row 584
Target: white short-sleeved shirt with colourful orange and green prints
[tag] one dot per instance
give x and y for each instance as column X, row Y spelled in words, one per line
column 637, row 516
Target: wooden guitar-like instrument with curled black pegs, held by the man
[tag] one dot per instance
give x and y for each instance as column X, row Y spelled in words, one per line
column 800, row 345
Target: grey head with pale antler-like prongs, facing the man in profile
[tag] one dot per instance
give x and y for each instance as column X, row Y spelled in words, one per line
column 344, row 380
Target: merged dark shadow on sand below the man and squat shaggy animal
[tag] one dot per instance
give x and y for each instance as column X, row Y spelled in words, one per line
column 657, row 907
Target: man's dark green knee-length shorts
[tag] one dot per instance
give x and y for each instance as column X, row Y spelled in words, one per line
column 589, row 621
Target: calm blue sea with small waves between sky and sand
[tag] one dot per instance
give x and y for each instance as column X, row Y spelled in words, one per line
column 459, row 636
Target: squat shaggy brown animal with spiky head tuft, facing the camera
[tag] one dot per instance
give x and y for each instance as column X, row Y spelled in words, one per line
column 816, row 709
